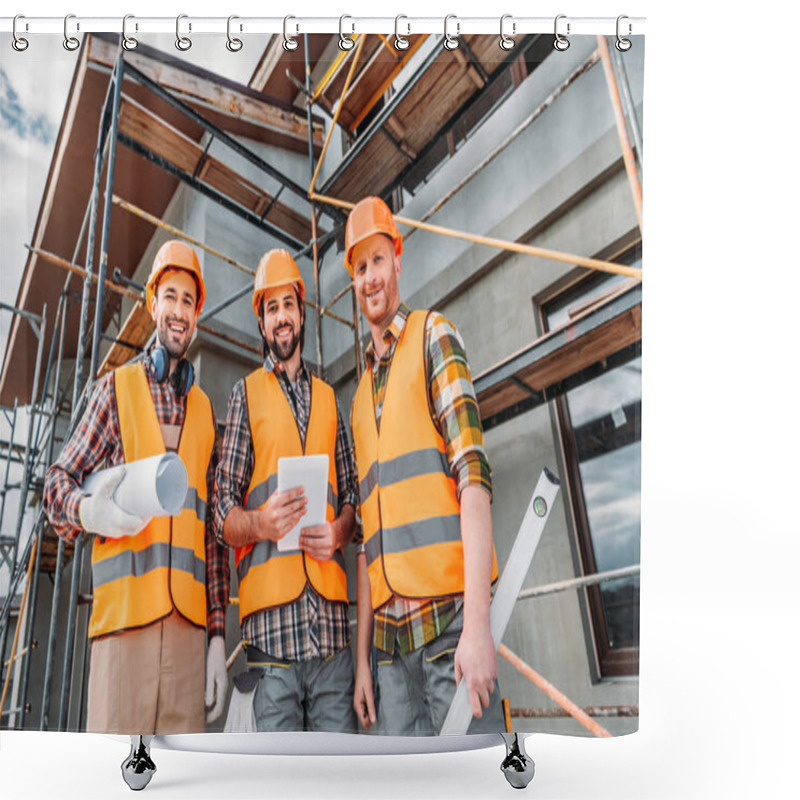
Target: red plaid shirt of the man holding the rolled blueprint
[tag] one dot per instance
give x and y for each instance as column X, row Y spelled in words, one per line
column 97, row 439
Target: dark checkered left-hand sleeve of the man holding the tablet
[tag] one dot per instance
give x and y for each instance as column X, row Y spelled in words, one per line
column 236, row 461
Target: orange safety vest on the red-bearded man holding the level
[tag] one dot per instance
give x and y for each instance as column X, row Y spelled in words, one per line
column 409, row 506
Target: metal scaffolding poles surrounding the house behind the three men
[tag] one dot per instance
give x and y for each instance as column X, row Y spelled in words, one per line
column 47, row 407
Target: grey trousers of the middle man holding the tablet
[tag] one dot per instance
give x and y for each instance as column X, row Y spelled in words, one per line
column 313, row 695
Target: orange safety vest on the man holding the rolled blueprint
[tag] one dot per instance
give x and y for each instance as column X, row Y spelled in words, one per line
column 140, row 579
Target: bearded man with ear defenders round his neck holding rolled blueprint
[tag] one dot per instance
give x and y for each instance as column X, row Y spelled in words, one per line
column 160, row 584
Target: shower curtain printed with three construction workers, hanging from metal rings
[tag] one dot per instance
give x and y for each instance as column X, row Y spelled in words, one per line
column 511, row 171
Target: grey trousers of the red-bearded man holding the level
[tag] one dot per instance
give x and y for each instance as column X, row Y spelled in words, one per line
column 415, row 690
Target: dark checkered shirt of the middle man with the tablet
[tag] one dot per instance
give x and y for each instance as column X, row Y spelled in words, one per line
column 311, row 626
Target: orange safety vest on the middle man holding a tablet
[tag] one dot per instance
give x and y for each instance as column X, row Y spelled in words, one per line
column 269, row 577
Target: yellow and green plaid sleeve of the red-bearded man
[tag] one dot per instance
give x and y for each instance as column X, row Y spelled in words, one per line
column 455, row 405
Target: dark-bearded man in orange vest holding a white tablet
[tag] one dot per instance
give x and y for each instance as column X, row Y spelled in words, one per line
column 292, row 603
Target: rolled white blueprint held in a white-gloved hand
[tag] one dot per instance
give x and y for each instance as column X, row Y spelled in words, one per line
column 152, row 487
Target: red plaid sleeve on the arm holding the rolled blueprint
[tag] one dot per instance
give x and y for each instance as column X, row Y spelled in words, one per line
column 91, row 443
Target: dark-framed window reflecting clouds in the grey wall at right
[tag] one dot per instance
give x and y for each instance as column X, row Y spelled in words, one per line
column 600, row 428
